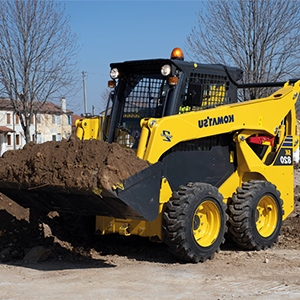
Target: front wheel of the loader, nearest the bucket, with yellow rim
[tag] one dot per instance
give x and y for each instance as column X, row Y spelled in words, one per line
column 195, row 222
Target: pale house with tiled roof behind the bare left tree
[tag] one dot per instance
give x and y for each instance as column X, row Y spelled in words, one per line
column 51, row 123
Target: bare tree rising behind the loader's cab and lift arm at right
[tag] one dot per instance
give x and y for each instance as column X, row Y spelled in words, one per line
column 262, row 37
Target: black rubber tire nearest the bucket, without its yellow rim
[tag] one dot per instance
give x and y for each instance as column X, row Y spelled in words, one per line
column 178, row 222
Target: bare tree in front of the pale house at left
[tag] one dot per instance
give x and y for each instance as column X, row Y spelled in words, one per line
column 37, row 55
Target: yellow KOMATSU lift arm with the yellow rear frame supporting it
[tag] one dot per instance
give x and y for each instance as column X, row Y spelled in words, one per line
column 261, row 116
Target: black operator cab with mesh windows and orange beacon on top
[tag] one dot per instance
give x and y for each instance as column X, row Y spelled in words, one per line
column 162, row 87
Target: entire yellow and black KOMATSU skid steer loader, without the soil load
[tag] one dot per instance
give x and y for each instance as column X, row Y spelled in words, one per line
column 216, row 163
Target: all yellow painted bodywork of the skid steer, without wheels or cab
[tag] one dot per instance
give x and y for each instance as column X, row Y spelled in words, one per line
column 262, row 117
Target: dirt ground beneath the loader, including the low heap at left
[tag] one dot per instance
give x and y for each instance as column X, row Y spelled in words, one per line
column 41, row 258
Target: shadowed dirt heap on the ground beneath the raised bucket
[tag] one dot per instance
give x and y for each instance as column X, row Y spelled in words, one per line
column 29, row 235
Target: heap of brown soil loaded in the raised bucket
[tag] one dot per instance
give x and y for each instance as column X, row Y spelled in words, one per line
column 72, row 163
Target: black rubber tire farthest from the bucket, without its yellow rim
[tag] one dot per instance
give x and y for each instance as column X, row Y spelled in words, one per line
column 243, row 215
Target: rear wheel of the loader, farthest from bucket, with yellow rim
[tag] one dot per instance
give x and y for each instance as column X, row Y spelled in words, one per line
column 256, row 215
